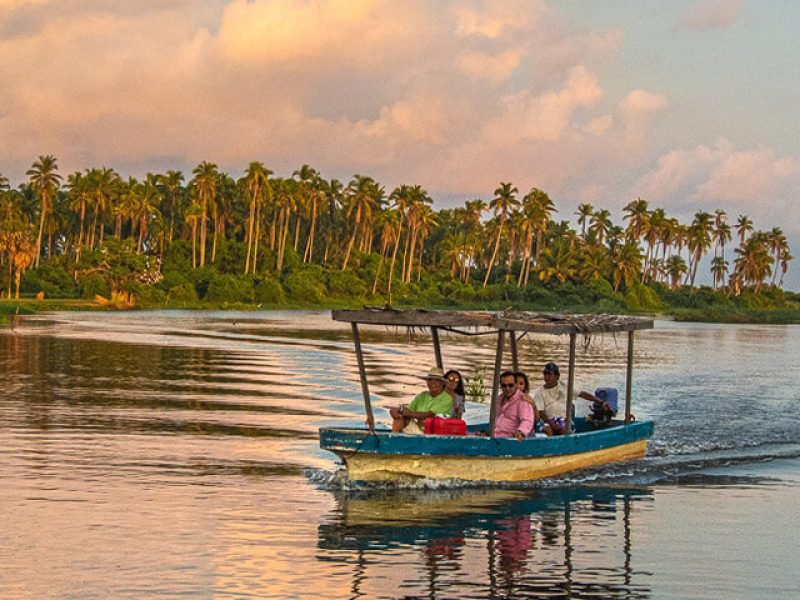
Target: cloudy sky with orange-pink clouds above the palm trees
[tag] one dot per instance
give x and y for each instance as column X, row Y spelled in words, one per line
column 689, row 104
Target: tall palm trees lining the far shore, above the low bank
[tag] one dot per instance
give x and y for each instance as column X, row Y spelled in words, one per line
column 97, row 226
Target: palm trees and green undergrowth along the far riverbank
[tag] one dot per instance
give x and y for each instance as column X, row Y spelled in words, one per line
column 303, row 241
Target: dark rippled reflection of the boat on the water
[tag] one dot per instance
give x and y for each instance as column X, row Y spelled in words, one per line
column 574, row 542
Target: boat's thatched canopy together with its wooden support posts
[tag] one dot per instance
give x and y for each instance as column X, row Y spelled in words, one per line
column 504, row 323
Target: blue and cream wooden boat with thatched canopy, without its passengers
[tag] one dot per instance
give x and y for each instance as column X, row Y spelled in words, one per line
column 378, row 454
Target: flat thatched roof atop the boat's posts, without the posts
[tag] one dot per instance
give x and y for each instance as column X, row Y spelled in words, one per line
column 553, row 323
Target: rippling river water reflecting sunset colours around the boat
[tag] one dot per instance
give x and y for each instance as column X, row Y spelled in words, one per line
column 162, row 454
